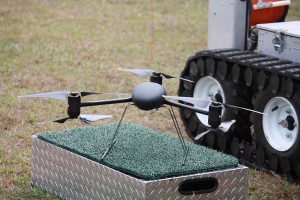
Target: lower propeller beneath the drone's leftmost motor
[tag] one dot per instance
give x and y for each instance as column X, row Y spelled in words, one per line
column 86, row 119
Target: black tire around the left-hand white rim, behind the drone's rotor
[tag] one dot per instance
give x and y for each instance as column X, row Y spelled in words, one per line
column 234, row 94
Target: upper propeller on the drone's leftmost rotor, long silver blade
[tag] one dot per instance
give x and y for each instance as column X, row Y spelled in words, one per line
column 62, row 95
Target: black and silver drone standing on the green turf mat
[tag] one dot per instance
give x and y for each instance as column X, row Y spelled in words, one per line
column 146, row 96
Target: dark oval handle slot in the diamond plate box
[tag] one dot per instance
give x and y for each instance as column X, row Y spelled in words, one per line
column 198, row 186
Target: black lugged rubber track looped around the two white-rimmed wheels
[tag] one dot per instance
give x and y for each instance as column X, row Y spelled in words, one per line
column 273, row 71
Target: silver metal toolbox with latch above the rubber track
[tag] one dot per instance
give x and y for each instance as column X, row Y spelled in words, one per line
column 281, row 40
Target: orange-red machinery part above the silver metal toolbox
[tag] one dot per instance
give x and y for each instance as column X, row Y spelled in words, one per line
column 267, row 15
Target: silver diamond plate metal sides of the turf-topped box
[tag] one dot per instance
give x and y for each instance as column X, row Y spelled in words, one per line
column 71, row 176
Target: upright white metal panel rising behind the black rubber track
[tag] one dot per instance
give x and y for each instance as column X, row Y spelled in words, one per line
column 227, row 24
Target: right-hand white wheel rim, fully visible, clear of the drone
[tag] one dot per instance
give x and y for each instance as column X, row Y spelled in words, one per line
column 277, row 134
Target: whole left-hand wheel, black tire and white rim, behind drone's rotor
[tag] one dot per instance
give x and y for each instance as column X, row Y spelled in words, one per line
column 210, row 82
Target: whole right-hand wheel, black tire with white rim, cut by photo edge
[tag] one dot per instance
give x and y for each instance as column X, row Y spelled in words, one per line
column 277, row 132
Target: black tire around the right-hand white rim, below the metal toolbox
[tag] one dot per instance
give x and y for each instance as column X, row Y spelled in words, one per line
column 285, row 162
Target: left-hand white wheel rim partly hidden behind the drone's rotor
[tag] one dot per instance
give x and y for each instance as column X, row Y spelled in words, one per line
column 206, row 88
